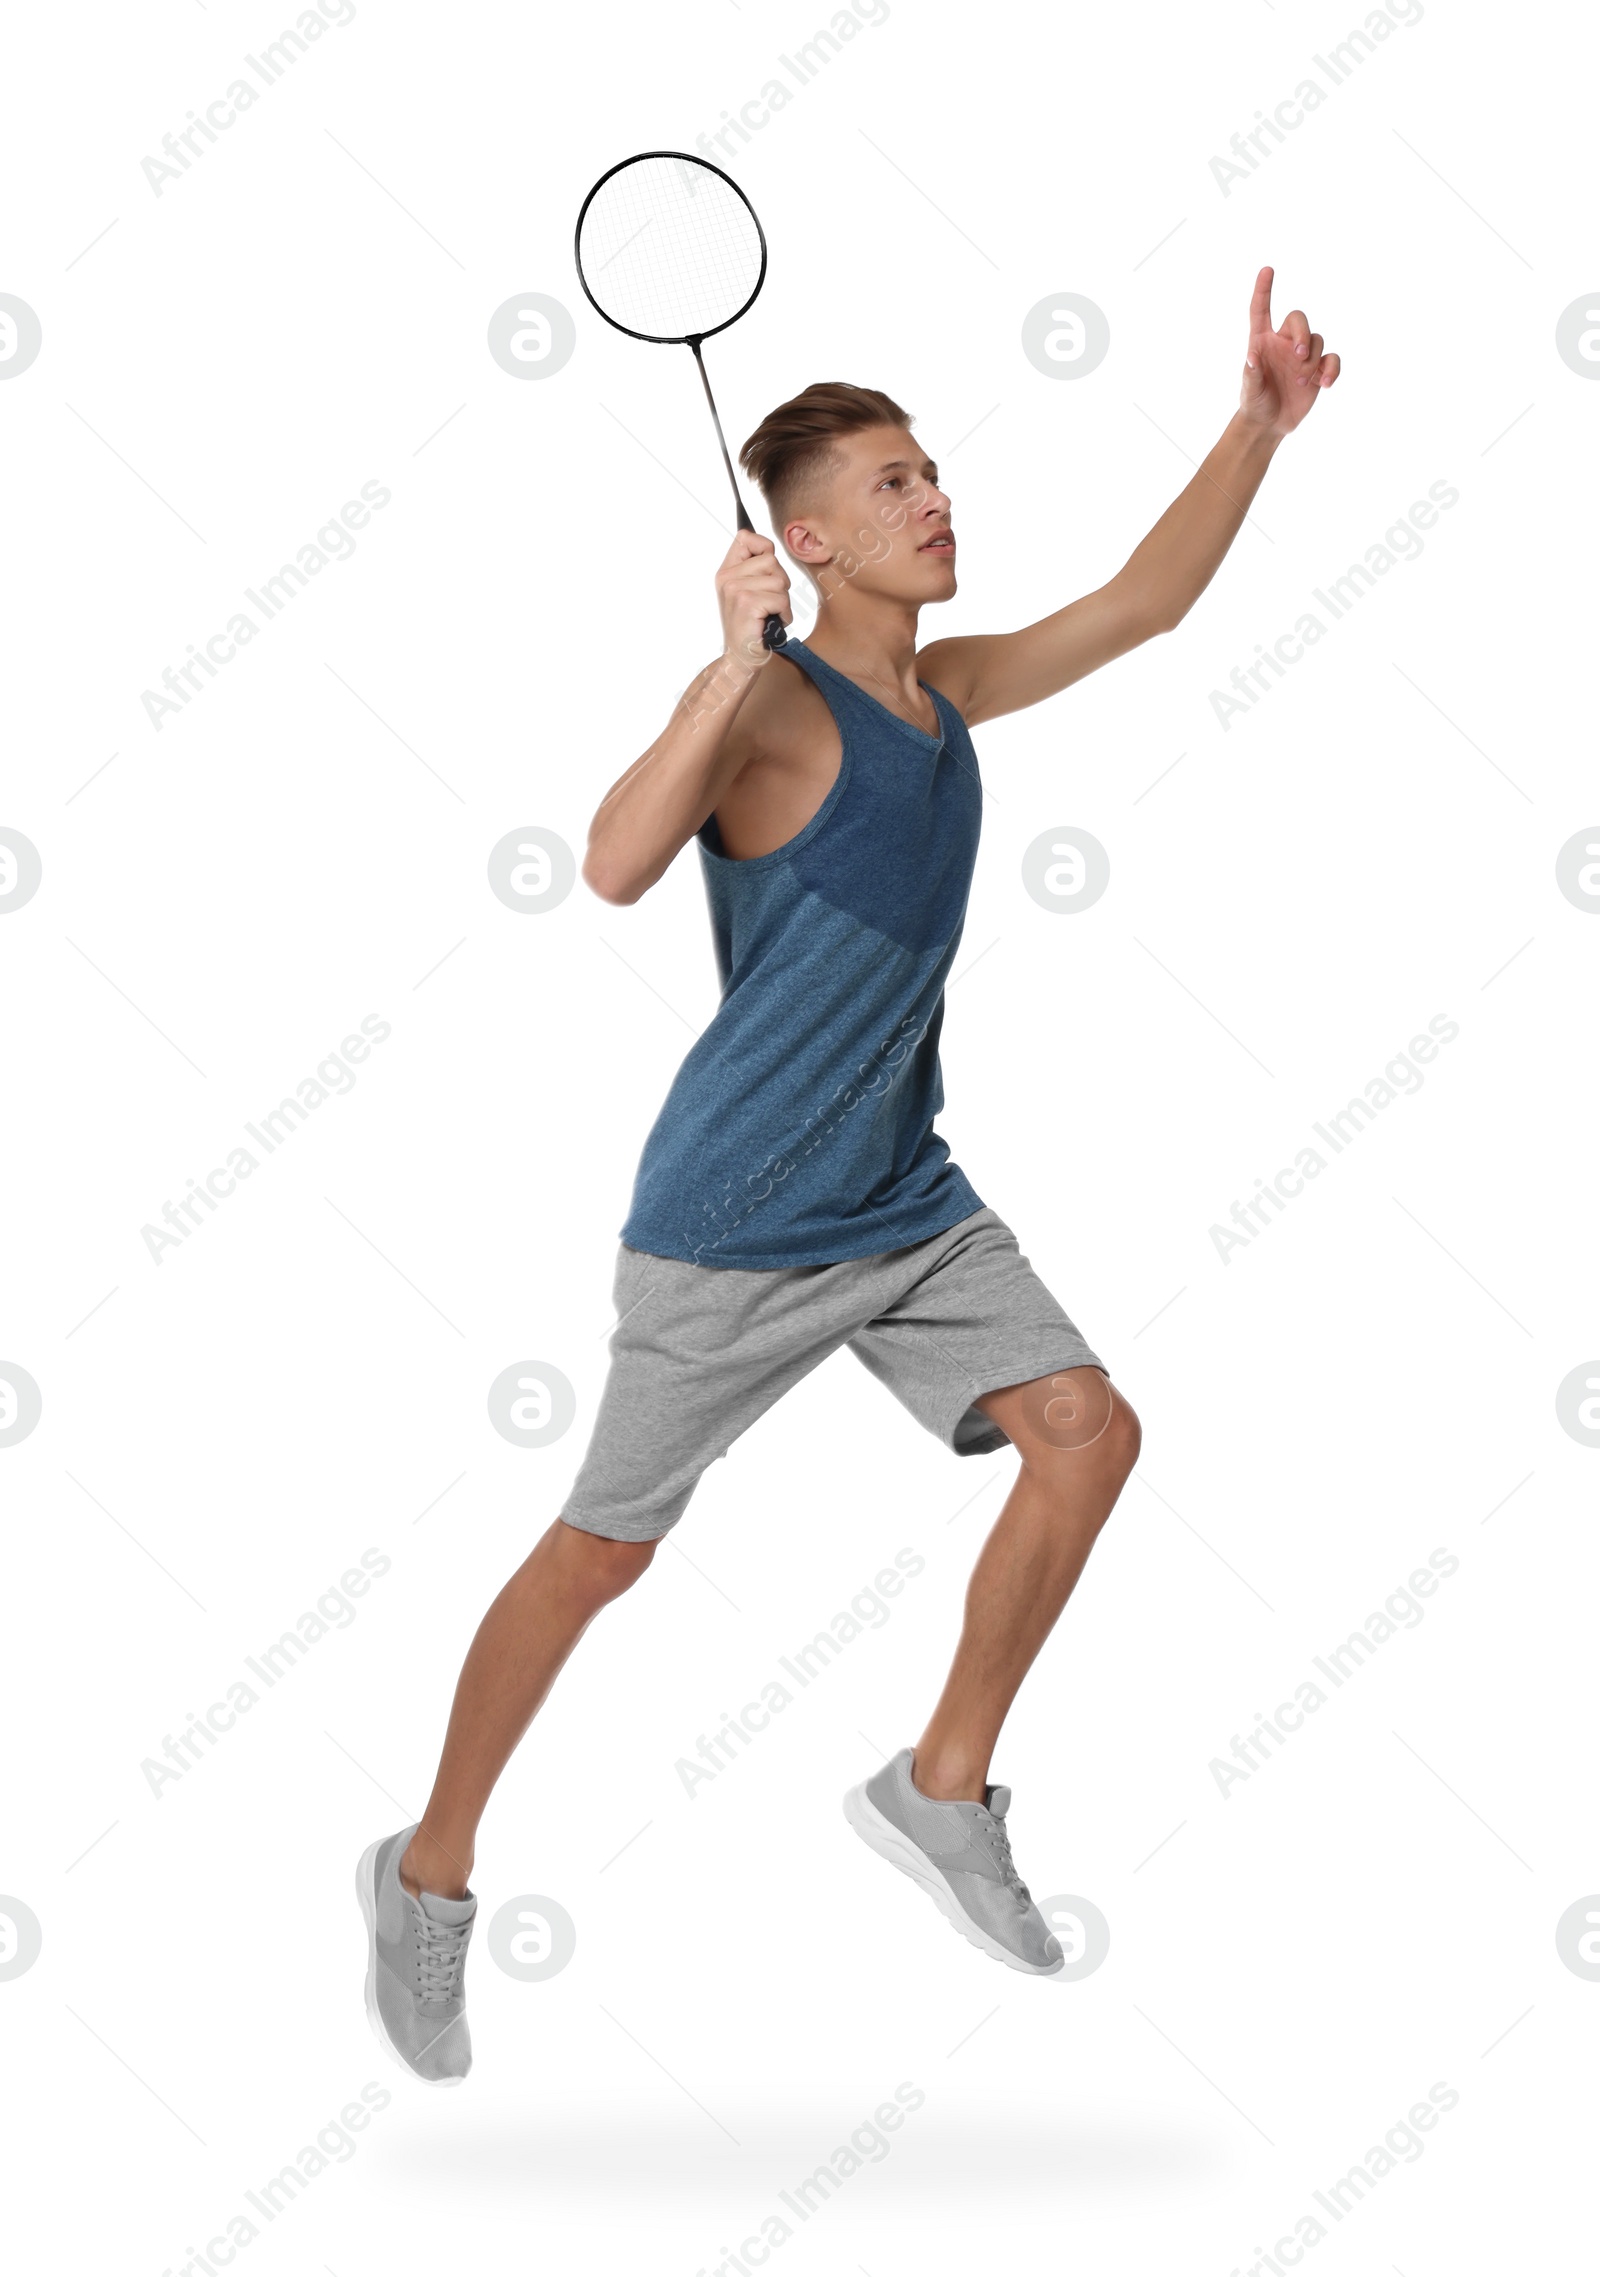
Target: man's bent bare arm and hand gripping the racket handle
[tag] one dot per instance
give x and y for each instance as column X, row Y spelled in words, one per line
column 666, row 796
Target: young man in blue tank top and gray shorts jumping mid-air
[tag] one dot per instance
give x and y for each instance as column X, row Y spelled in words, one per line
column 793, row 1194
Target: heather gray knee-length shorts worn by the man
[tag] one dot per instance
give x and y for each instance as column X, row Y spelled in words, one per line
column 702, row 1351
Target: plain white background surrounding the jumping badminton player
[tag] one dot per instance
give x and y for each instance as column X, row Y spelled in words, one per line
column 1374, row 1379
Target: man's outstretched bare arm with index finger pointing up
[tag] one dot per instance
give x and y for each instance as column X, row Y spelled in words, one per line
column 998, row 673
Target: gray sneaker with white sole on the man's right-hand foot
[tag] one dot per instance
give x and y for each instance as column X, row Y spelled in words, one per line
column 962, row 1857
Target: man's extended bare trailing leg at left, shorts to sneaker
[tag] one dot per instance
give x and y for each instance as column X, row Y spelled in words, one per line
column 513, row 1661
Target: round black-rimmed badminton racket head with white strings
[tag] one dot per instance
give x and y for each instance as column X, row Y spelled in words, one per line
column 670, row 247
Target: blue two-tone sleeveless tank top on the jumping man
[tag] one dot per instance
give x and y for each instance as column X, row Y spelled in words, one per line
column 800, row 1128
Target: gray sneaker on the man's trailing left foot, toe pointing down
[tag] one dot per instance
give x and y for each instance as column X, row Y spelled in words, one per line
column 415, row 1959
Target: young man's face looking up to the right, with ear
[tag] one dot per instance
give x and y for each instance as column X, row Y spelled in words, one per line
column 877, row 520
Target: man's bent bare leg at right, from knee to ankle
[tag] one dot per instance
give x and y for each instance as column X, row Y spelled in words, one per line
column 1078, row 1440
